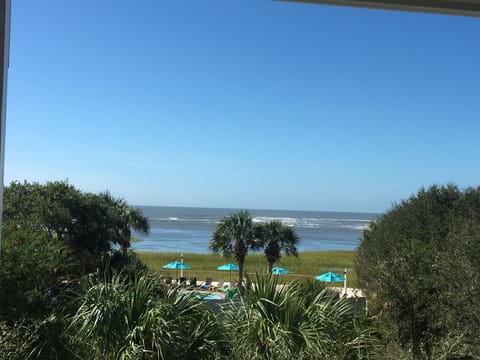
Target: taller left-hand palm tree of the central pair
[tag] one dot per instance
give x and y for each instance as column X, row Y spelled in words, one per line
column 235, row 235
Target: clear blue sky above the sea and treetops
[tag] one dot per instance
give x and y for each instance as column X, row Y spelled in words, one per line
column 243, row 104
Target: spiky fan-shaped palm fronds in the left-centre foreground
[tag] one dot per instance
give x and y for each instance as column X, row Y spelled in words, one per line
column 139, row 319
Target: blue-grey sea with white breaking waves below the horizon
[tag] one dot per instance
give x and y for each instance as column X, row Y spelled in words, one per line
column 184, row 229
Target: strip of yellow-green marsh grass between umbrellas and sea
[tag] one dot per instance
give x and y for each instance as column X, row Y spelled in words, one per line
column 307, row 265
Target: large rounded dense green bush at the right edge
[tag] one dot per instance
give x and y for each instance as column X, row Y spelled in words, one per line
column 419, row 265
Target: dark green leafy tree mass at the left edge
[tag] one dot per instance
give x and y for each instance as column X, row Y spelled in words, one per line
column 53, row 234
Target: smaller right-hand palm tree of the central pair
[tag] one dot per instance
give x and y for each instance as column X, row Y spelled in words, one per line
column 278, row 237
